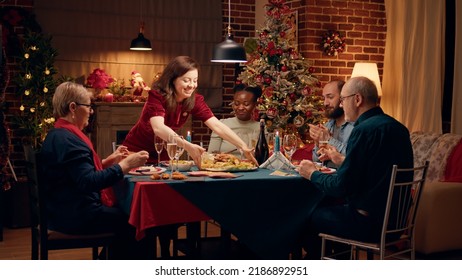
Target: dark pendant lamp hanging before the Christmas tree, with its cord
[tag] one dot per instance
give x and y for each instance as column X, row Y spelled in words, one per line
column 229, row 51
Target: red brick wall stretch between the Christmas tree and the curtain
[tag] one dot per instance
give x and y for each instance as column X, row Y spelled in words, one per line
column 362, row 21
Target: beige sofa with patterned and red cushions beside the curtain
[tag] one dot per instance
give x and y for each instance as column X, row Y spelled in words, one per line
column 439, row 216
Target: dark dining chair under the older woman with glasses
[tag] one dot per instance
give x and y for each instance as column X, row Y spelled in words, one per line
column 43, row 239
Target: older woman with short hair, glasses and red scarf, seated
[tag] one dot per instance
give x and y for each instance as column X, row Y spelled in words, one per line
column 74, row 175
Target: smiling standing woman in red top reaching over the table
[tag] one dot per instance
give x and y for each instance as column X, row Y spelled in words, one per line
column 170, row 102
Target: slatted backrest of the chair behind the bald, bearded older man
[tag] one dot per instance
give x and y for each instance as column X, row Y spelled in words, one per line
column 403, row 199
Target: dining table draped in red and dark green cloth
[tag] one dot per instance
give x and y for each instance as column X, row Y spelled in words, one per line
column 267, row 213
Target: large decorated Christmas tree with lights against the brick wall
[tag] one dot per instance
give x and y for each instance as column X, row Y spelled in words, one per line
column 291, row 93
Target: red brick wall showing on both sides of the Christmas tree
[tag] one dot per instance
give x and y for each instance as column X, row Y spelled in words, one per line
column 362, row 21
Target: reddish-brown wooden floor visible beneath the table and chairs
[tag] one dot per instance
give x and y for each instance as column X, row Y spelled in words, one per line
column 16, row 245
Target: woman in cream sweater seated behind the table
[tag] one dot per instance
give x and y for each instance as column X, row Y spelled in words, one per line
column 243, row 123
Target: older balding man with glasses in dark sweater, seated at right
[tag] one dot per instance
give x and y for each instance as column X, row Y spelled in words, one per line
column 377, row 142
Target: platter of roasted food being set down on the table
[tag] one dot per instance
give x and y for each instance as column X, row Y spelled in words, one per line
column 224, row 162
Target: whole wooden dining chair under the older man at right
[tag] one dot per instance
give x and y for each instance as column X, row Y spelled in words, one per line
column 397, row 235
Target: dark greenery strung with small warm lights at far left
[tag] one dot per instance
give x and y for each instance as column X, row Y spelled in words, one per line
column 35, row 86
